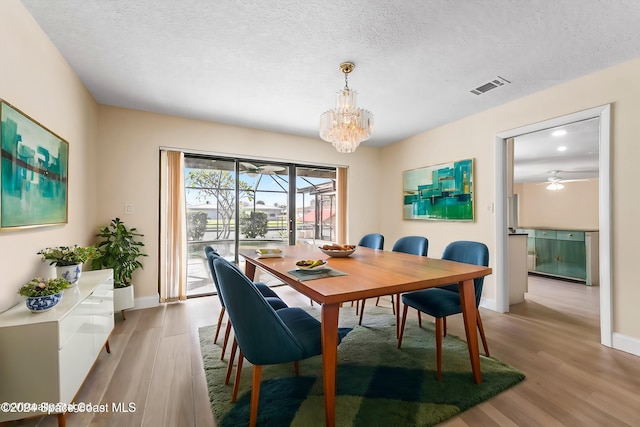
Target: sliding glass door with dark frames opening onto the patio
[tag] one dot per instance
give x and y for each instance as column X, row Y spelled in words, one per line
column 236, row 204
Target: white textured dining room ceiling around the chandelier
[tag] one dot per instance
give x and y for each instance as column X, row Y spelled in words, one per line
column 274, row 65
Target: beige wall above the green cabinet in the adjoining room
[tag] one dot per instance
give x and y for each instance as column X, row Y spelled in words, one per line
column 575, row 207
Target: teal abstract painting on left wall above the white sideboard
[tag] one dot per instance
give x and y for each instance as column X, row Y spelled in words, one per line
column 33, row 172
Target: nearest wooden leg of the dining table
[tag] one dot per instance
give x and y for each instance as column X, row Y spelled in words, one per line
column 330, row 359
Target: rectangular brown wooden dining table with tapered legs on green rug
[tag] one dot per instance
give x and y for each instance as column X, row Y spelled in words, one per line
column 369, row 273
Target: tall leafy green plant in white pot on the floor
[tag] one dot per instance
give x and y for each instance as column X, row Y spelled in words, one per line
column 120, row 250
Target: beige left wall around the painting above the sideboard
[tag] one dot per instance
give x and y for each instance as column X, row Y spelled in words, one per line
column 36, row 79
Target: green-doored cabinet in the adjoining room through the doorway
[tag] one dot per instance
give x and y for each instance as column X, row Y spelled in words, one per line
column 568, row 254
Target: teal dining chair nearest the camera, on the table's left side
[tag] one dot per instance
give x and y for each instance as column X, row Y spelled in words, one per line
column 265, row 336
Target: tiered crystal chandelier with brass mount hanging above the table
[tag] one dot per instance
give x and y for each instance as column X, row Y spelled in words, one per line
column 346, row 126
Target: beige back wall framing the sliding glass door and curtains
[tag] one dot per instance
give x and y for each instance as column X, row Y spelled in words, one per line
column 128, row 170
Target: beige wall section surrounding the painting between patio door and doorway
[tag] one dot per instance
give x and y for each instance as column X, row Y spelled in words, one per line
column 445, row 144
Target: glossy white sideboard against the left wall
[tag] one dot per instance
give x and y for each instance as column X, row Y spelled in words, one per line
column 45, row 357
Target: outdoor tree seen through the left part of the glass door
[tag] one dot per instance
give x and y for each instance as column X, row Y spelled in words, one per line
column 219, row 185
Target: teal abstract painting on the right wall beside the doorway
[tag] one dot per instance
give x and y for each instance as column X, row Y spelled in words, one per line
column 441, row 192
